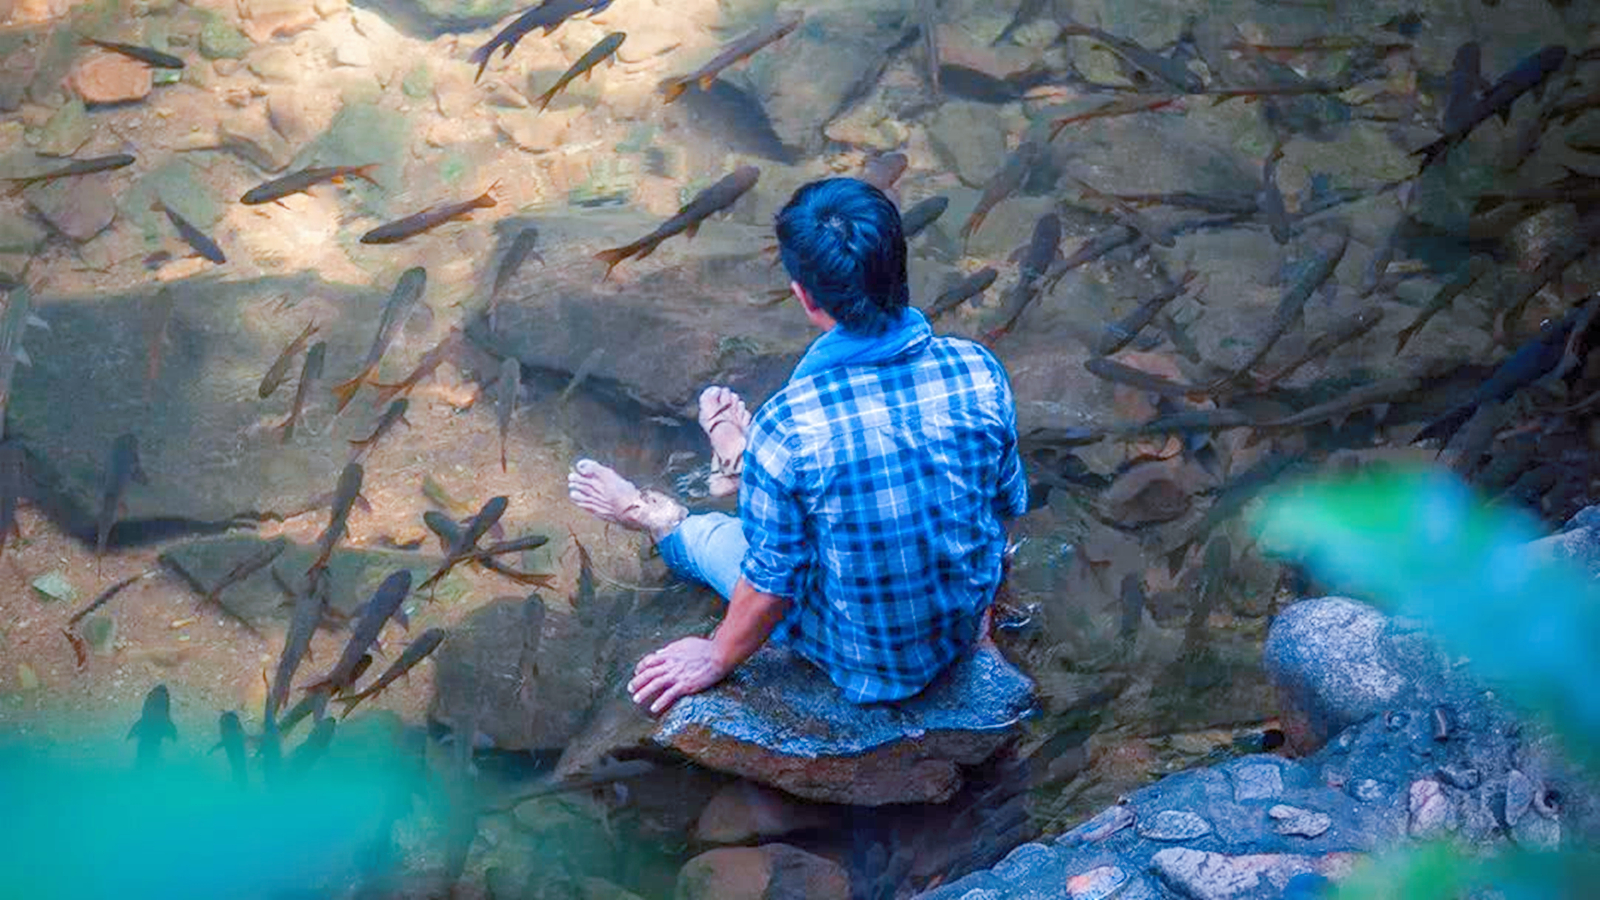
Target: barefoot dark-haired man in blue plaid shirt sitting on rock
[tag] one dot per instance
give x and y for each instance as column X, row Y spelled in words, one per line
column 873, row 491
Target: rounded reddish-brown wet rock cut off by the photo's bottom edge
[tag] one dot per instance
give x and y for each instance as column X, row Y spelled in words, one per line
column 758, row 874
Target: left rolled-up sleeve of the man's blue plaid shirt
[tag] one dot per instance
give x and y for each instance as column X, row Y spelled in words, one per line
column 774, row 516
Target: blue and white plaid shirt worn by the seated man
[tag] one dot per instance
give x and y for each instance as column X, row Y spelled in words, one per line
column 873, row 500
